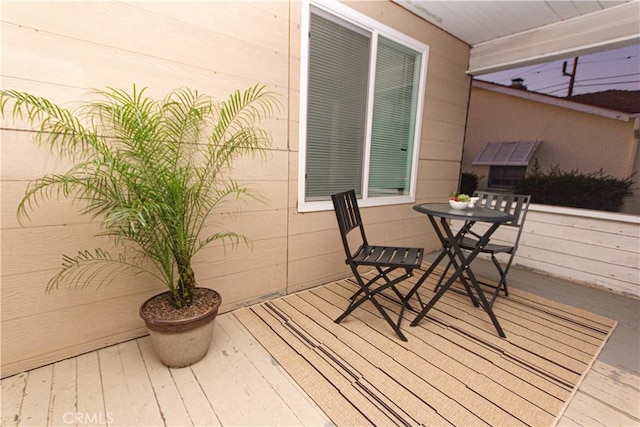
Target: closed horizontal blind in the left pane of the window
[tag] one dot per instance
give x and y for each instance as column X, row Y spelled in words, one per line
column 336, row 110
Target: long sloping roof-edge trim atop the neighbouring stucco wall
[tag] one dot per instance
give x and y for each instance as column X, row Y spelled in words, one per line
column 552, row 100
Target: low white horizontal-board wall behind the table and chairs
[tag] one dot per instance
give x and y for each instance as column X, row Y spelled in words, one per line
column 591, row 247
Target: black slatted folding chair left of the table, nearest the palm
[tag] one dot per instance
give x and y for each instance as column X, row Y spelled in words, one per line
column 384, row 259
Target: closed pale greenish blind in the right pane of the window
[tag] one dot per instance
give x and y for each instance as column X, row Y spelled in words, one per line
column 394, row 116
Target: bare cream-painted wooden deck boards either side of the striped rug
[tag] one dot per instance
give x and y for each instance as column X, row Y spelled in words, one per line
column 238, row 383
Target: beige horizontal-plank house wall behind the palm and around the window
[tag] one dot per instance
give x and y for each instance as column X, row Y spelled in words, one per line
column 60, row 50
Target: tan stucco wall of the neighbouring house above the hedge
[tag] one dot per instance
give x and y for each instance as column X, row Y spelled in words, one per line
column 571, row 139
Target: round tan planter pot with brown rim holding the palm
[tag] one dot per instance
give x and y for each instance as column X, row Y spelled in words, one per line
column 180, row 343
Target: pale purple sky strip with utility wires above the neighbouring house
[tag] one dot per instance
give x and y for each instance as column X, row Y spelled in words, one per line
column 614, row 69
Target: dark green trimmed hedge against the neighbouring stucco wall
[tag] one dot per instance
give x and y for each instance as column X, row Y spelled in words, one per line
column 574, row 189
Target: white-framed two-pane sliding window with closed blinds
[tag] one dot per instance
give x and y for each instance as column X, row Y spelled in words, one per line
column 360, row 125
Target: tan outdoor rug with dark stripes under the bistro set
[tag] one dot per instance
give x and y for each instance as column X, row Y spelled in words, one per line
column 454, row 370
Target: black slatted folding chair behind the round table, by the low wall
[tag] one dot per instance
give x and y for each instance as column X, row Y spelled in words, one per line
column 516, row 205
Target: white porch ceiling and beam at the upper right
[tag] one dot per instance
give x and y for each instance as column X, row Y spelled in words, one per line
column 509, row 34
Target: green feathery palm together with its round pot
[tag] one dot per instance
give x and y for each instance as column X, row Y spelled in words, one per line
column 153, row 172
